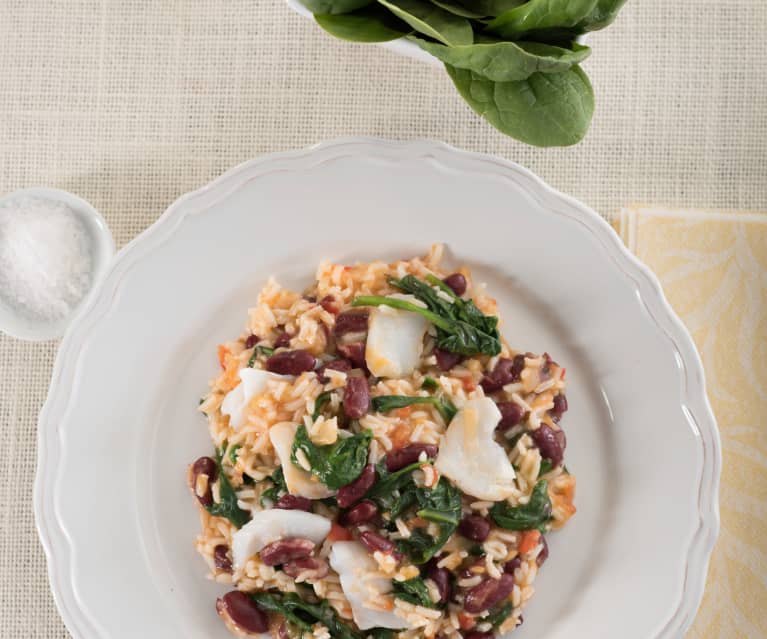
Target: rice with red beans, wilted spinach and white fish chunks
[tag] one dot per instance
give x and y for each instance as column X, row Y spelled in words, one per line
column 385, row 464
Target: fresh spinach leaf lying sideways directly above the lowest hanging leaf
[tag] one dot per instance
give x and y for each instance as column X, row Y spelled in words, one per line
column 507, row 61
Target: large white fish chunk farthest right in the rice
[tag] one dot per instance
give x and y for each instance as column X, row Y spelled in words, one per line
column 470, row 456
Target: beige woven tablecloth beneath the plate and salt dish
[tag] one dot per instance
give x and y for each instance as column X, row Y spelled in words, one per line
column 131, row 103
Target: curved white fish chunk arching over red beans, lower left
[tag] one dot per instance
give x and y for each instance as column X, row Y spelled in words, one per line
column 270, row 525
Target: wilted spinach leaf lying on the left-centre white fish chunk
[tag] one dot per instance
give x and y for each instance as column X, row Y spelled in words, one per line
column 335, row 465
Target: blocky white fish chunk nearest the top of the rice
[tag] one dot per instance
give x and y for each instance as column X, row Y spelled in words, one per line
column 395, row 339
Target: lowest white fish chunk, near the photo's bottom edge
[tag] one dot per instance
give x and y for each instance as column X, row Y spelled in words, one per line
column 364, row 586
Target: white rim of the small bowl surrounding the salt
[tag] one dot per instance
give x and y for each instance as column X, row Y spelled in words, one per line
column 102, row 249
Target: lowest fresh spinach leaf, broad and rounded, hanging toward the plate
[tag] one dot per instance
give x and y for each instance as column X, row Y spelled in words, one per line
column 546, row 109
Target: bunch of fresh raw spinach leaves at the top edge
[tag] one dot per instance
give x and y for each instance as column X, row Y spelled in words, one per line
column 515, row 62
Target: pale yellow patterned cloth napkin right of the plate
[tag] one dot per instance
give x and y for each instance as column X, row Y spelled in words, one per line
column 713, row 268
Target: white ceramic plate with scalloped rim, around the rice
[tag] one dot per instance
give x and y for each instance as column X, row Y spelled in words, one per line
column 120, row 423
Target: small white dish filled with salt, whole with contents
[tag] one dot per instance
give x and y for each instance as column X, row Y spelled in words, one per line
column 54, row 248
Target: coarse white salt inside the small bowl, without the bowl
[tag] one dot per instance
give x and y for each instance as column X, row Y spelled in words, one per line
column 46, row 260
